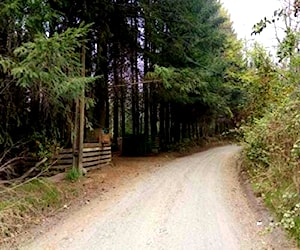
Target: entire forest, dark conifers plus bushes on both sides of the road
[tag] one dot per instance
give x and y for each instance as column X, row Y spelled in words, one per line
column 170, row 71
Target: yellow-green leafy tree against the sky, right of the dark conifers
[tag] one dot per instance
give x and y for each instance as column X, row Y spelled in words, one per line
column 260, row 84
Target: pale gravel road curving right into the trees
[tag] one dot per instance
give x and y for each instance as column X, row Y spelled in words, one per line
column 193, row 202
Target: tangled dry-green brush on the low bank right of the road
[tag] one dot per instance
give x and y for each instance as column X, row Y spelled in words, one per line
column 272, row 158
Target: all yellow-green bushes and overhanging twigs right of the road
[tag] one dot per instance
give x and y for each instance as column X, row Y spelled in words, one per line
column 271, row 134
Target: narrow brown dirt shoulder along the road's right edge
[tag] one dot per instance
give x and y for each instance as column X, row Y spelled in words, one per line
column 243, row 199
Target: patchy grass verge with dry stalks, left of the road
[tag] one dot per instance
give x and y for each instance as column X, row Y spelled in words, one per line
column 27, row 204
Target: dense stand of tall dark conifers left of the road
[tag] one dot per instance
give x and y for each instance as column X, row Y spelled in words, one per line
column 151, row 68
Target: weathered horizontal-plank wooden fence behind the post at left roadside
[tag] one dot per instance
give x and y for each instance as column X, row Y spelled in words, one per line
column 94, row 155
